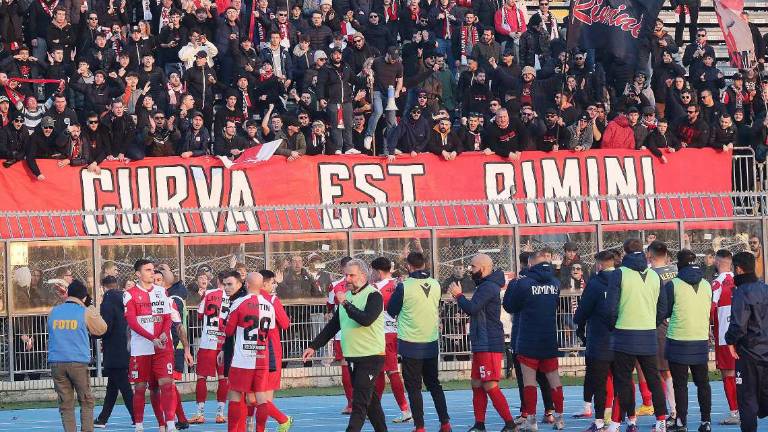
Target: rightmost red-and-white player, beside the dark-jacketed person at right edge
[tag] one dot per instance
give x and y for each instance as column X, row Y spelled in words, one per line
column 722, row 292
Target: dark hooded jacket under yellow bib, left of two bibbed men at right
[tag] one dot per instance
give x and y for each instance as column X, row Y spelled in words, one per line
column 635, row 342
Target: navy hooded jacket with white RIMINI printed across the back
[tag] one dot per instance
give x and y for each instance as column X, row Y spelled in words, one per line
column 534, row 298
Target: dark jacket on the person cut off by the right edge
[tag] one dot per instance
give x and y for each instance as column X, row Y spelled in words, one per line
column 749, row 313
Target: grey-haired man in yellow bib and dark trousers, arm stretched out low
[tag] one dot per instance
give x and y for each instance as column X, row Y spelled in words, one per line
column 360, row 318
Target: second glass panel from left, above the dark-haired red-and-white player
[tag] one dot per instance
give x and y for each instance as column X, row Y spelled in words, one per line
column 119, row 255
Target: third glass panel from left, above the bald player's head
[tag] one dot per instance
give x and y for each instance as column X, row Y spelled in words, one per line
column 205, row 257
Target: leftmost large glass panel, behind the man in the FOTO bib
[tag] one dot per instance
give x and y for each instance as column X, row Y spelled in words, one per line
column 41, row 272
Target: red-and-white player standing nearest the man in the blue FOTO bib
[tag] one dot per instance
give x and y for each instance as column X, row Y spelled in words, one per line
column 148, row 311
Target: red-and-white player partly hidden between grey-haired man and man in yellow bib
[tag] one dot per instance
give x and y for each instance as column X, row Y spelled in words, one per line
column 386, row 286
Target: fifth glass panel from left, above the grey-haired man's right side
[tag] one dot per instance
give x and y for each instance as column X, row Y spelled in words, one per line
column 395, row 245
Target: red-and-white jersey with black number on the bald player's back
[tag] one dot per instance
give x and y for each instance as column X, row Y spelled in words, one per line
column 249, row 320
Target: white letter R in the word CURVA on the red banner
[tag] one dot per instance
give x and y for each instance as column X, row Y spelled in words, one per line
column 166, row 201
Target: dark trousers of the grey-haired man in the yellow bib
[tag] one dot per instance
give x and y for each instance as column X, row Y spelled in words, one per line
column 365, row 401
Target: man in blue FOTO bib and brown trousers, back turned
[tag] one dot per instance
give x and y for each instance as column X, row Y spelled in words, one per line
column 69, row 353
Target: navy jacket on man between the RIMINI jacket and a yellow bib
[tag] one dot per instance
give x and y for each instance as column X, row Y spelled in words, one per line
column 590, row 314
